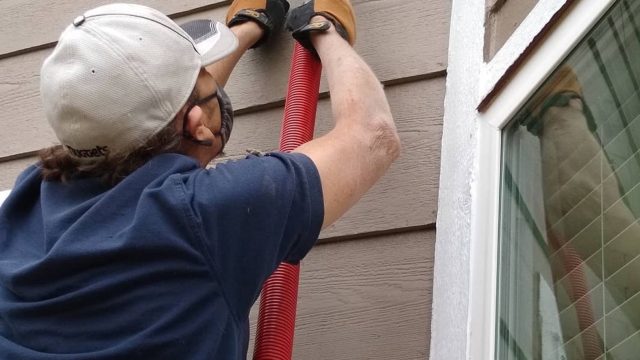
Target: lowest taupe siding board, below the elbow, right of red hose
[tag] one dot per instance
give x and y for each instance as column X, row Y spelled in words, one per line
column 366, row 299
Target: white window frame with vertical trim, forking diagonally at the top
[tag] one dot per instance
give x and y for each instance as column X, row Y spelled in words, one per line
column 465, row 290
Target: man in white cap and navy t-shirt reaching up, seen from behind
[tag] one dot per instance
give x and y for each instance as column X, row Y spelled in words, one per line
column 120, row 244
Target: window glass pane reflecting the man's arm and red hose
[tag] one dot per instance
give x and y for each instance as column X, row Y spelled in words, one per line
column 569, row 264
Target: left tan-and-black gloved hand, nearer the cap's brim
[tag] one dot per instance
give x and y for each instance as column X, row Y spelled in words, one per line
column 268, row 14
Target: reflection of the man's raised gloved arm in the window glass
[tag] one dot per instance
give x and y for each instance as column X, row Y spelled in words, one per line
column 591, row 230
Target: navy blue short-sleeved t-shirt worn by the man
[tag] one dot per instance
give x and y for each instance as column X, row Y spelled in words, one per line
column 165, row 265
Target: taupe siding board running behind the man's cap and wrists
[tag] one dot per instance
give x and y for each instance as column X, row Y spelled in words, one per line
column 395, row 51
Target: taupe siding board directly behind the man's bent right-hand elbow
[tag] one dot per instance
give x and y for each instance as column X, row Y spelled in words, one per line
column 405, row 197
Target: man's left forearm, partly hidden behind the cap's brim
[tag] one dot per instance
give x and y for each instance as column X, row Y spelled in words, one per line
column 247, row 33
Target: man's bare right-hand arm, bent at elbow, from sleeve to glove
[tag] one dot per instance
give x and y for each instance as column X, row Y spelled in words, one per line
column 364, row 141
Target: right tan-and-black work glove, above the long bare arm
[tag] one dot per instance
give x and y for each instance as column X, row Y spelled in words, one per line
column 339, row 12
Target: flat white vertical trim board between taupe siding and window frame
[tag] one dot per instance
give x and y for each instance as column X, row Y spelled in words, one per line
column 449, row 330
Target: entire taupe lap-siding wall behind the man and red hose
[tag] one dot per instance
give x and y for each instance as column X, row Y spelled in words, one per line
column 366, row 288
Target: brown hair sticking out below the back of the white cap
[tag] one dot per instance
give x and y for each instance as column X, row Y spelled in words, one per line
column 57, row 164
